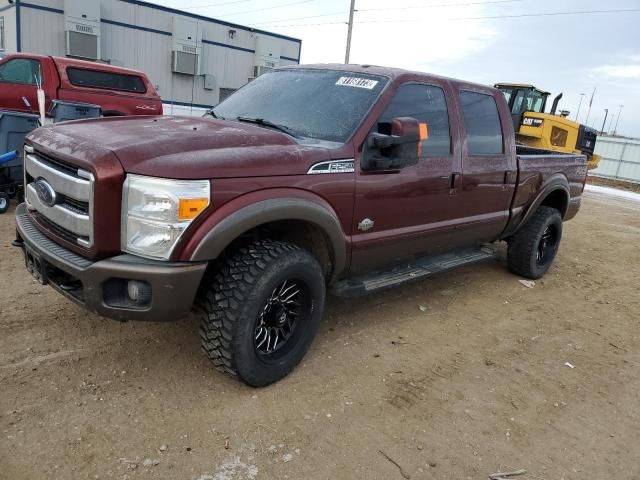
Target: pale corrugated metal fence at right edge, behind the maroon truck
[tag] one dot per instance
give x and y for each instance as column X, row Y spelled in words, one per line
column 620, row 158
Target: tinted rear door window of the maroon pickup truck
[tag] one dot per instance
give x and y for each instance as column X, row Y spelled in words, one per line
column 482, row 123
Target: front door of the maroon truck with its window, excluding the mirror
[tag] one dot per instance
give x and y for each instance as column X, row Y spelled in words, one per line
column 409, row 211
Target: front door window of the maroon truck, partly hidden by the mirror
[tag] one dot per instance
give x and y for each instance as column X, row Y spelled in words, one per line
column 428, row 105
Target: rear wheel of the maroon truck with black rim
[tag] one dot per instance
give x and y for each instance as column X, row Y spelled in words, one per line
column 534, row 247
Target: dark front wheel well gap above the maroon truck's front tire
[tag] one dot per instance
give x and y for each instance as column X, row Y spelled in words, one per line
column 304, row 234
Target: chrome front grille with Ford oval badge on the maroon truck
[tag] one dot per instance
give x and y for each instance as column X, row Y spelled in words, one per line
column 60, row 197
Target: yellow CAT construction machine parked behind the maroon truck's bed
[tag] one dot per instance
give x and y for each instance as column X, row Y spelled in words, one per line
column 549, row 131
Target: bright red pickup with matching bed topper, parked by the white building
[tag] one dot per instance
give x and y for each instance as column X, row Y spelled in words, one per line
column 118, row 91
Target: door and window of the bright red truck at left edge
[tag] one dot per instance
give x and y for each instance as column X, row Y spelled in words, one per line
column 18, row 79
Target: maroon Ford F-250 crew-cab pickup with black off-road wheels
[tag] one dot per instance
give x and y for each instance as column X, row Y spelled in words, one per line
column 311, row 178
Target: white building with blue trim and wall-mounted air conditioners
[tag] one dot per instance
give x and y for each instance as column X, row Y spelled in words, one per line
column 192, row 59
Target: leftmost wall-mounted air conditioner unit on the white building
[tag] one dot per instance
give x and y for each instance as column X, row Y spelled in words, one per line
column 82, row 28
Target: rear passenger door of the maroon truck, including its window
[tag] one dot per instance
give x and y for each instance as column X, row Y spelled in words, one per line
column 488, row 170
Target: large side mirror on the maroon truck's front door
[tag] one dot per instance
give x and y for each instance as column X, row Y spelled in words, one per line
column 394, row 151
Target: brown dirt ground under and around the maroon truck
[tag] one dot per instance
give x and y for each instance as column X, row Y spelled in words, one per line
column 487, row 376
